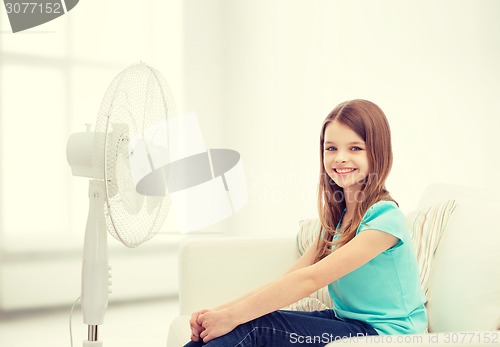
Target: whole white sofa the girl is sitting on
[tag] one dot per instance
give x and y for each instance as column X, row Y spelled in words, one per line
column 463, row 281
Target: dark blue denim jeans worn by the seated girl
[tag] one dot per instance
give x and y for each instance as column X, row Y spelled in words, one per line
column 290, row 328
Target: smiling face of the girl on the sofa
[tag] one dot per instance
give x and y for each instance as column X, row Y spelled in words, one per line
column 344, row 156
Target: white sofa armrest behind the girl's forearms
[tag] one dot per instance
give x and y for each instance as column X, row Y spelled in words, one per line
column 213, row 271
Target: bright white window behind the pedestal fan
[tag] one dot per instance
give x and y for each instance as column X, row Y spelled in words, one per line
column 52, row 80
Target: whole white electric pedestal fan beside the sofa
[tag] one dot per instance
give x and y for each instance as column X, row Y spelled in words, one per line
column 126, row 159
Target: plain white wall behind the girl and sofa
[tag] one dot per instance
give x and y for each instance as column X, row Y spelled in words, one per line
column 264, row 74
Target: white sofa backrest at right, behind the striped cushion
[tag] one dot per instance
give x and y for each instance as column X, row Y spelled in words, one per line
column 464, row 282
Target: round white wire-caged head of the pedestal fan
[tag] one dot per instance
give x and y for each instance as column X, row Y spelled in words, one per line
column 130, row 142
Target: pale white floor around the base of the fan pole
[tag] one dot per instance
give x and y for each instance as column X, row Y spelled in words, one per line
column 132, row 324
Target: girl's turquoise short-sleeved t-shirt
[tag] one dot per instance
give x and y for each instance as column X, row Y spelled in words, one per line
column 385, row 292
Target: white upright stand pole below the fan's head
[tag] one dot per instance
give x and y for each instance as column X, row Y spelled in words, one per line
column 95, row 271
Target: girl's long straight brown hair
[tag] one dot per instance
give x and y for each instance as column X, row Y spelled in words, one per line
column 368, row 121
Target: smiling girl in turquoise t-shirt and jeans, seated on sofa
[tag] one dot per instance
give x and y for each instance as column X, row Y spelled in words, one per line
column 363, row 253
